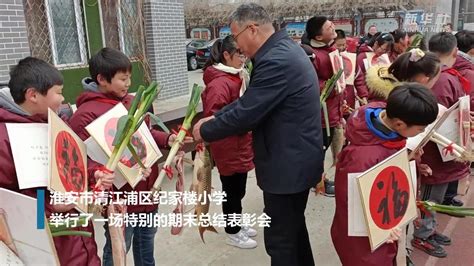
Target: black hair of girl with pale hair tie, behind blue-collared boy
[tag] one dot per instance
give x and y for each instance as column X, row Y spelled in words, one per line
column 405, row 70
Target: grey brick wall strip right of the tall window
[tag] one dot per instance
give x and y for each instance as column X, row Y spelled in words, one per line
column 165, row 45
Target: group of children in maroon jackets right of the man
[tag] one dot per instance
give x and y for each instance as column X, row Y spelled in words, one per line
column 397, row 100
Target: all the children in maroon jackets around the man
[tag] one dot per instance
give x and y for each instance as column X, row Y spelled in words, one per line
column 397, row 101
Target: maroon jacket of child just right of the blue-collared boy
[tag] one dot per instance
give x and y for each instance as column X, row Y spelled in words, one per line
column 447, row 90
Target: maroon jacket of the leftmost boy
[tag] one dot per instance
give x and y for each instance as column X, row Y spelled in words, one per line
column 71, row 250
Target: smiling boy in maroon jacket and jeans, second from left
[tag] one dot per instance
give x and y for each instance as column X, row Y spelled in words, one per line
column 110, row 72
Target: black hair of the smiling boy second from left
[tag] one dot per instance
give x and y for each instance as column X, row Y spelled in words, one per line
column 107, row 62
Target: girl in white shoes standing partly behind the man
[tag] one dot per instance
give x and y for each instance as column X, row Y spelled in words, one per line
column 225, row 81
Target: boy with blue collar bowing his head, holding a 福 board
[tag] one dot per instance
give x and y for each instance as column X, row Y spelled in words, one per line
column 375, row 132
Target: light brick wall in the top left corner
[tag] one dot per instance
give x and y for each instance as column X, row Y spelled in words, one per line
column 13, row 36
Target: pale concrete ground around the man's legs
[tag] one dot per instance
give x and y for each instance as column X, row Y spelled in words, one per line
column 187, row 248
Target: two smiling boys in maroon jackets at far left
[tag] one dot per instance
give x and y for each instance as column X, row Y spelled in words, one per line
column 35, row 86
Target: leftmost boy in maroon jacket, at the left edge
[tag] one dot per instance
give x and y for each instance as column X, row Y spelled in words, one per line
column 34, row 87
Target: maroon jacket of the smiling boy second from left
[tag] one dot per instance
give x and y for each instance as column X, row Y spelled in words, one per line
column 92, row 104
